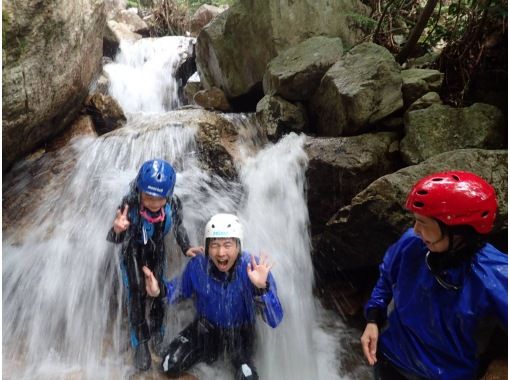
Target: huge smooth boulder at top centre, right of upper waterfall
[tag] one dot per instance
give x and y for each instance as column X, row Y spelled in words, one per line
column 234, row 49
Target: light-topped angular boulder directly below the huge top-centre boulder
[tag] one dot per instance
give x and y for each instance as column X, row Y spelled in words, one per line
column 295, row 74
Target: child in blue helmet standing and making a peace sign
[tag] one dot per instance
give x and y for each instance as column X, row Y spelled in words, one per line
column 146, row 215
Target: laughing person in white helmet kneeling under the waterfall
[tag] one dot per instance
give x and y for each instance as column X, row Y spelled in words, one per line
column 229, row 286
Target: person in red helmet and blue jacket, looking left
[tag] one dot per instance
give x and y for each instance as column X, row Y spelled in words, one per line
column 442, row 288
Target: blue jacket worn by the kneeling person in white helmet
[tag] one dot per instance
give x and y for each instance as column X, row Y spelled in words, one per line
column 225, row 302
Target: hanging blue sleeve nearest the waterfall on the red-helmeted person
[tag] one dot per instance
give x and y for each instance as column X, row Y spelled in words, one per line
column 376, row 307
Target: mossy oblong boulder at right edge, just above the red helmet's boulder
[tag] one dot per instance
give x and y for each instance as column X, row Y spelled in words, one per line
column 441, row 128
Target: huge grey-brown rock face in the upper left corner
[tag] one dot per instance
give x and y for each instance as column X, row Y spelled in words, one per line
column 52, row 51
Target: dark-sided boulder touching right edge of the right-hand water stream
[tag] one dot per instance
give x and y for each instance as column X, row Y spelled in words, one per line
column 340, row 167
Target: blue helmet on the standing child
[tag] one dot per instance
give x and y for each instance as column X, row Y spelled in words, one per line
column 156, row 178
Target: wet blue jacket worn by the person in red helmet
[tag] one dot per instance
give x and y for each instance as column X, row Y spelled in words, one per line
column 431, row 330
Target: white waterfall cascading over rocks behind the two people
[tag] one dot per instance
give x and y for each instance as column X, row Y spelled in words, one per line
column 63, row 301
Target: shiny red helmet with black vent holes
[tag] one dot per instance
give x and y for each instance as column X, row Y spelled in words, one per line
column 455, row 198
